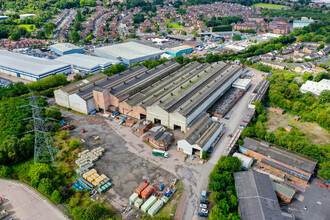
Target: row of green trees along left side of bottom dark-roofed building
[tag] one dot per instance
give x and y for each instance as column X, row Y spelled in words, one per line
column 222, row 185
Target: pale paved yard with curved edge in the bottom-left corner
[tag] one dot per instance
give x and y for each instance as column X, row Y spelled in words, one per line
column 24, row 203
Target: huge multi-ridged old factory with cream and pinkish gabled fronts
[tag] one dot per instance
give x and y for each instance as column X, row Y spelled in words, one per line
column 167, row 94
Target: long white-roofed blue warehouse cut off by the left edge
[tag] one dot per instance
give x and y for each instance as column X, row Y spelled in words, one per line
column 30, row 68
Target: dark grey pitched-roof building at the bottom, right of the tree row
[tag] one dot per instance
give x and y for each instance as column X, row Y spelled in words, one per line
column 257, row 198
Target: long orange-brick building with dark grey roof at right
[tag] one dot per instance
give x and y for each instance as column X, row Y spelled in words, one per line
column 281, row 161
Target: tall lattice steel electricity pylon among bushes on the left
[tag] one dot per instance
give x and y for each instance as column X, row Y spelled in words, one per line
column 45, row 148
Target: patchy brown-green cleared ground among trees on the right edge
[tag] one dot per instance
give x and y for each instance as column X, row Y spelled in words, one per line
column 313, row 131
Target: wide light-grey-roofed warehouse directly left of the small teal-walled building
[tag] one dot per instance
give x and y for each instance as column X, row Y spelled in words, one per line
column 129, row 52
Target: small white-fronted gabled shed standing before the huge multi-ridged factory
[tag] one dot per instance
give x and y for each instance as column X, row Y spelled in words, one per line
column 200, row 137
